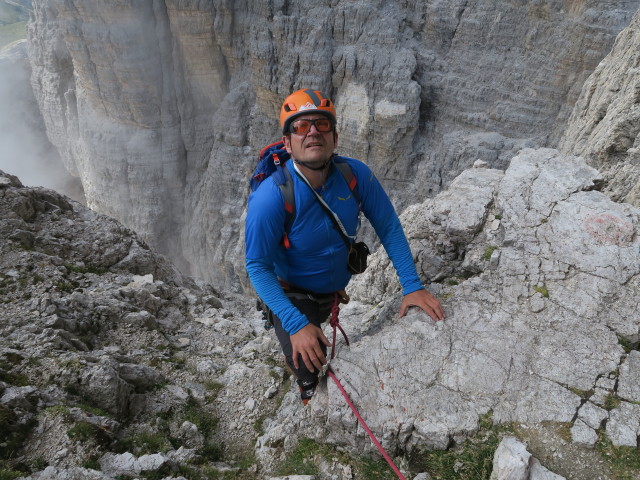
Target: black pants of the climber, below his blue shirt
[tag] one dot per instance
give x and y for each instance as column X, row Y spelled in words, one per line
column 317, row 308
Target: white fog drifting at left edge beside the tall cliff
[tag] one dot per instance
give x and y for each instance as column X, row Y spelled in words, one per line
column 25, row 150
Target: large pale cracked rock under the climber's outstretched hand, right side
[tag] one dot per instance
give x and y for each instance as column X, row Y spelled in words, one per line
column 539, row 277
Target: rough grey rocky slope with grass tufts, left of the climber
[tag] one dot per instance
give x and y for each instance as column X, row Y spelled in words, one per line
column 102, row 341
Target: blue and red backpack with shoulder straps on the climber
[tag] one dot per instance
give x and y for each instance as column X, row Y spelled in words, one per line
column 271, row 162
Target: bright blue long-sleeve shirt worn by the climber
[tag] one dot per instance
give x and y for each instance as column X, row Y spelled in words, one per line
column 317, row 257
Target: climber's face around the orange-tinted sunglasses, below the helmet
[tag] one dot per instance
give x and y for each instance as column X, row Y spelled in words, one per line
column 313, row 147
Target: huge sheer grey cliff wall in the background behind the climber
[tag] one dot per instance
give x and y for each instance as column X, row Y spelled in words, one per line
column 164, row 104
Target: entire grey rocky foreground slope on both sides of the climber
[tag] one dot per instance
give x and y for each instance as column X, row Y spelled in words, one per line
column 113, row 364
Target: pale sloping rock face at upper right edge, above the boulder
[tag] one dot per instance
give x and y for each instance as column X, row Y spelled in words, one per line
column 605, row 124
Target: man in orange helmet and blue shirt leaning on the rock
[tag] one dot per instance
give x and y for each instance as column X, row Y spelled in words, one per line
column 297, row 282
